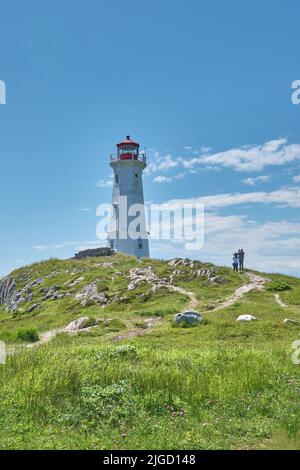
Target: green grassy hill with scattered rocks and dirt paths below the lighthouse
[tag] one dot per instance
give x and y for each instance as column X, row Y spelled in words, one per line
column 130, row 379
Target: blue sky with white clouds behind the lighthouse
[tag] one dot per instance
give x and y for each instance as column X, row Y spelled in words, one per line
column 205, row 85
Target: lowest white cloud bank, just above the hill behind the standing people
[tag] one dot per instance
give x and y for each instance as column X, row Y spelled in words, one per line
column 269, row 246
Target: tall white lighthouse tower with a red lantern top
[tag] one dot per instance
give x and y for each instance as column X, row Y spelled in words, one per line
column 127, row 231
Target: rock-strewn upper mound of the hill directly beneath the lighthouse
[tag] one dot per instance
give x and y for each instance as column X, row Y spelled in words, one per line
column 94, row 285
